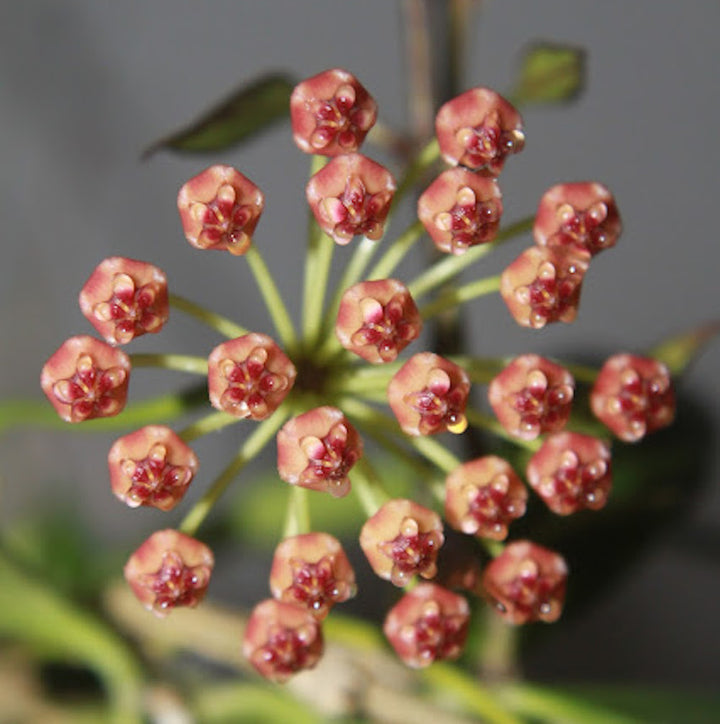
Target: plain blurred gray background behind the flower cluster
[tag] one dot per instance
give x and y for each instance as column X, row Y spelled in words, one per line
column 85, row 86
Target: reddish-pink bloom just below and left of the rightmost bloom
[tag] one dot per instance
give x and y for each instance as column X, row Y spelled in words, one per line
column 571, row 472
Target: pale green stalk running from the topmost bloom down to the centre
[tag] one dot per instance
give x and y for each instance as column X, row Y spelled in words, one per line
column 320, row 248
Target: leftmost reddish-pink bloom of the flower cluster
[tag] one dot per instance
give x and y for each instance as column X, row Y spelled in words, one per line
column 86, row 378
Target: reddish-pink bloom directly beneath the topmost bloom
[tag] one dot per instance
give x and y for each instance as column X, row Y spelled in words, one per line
column 351, row 196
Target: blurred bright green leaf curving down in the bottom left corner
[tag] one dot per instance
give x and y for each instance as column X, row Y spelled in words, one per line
column 34, row 613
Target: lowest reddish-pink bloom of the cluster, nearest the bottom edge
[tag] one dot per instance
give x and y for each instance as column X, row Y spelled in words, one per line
column 282, row 639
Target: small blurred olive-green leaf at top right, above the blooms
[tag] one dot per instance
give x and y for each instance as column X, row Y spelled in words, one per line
column 550, row 73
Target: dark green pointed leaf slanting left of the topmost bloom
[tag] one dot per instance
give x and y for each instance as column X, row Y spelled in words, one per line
column 251, row 109
